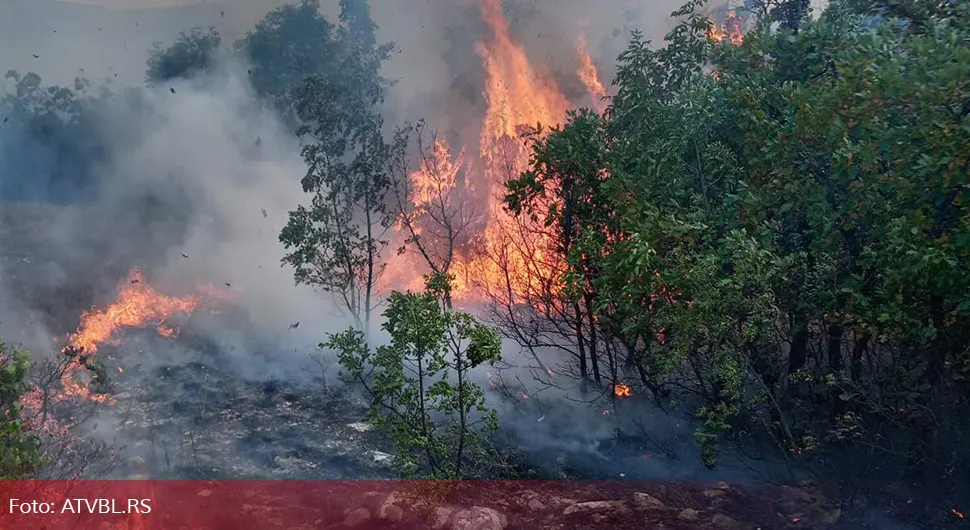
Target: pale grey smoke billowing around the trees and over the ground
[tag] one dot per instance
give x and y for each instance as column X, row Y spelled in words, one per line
column 197, row 176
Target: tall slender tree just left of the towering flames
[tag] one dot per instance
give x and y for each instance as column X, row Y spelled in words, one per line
column 337, row 242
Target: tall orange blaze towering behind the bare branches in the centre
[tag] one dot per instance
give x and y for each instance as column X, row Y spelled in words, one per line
column 505, row 256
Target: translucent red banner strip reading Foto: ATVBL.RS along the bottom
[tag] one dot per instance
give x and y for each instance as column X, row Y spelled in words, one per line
column 429, row 505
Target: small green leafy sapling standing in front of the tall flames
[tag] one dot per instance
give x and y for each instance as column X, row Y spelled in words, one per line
column 419, row 383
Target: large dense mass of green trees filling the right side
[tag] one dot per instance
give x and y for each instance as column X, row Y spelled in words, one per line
column 776, row 232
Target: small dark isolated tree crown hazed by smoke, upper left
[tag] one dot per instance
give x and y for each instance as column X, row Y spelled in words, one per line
column 192, row 53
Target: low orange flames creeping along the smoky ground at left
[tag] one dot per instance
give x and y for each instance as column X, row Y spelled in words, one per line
column 138, row 305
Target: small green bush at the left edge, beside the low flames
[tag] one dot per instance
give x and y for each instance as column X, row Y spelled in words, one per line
column 20, row 450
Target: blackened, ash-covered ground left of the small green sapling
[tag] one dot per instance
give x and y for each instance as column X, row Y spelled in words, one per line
column 183, row 411
